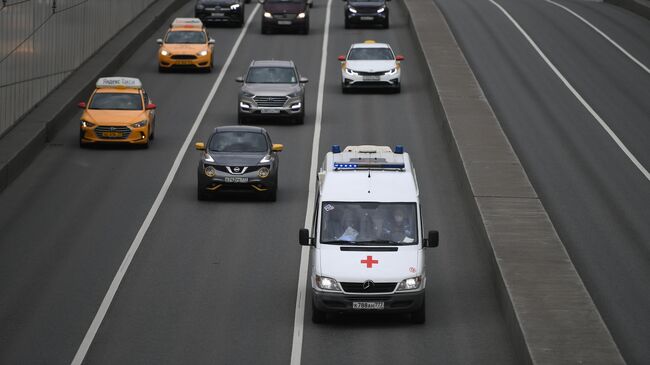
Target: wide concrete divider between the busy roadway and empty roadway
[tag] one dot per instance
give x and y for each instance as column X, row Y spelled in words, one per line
column 550, row 314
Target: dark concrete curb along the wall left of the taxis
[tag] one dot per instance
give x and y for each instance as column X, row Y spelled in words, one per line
column 20, row 145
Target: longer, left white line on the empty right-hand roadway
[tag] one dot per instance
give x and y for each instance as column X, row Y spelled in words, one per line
column 577, row 95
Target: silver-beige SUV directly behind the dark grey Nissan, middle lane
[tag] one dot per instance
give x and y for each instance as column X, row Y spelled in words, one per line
column 272, row 90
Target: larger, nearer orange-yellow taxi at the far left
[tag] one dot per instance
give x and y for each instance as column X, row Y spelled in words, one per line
column 118, row 111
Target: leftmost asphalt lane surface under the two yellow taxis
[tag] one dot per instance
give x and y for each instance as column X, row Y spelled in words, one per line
column 68, row 220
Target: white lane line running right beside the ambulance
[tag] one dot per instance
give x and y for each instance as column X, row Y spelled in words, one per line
column 301, row 295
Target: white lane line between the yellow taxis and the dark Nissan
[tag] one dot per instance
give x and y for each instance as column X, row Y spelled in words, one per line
column 117, row 280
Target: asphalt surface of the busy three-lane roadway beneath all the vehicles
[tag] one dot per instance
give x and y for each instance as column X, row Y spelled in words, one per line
column 215, row 282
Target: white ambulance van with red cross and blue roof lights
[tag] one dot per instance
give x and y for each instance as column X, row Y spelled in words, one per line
column 367, row 246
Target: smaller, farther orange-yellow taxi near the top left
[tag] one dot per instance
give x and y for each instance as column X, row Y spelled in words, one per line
column 186, row 45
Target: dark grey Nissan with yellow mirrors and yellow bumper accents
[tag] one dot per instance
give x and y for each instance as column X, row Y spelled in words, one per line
column 238, row 159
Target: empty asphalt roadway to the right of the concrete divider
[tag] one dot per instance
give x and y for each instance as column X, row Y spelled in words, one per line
column 595, row 196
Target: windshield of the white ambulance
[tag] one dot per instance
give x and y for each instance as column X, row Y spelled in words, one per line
column 368, row 223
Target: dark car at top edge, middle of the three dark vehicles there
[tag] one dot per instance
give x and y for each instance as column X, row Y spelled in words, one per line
column 285, row 15
